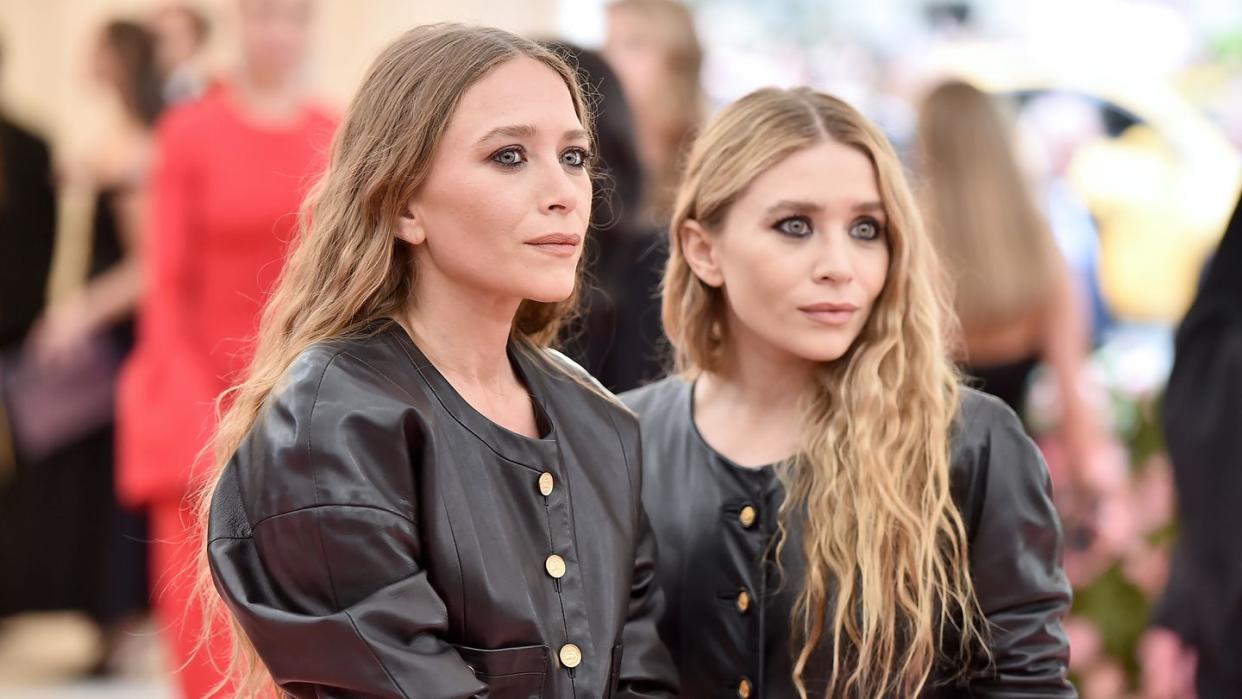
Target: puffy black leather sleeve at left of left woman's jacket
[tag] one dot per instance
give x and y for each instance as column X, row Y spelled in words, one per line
column 326, row 582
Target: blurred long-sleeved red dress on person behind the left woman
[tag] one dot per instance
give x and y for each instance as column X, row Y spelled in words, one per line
column 224, row 208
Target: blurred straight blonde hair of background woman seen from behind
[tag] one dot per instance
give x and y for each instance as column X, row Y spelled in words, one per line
column 1002, row 260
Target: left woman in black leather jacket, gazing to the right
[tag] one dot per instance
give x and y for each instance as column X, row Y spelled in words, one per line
column 414, row 497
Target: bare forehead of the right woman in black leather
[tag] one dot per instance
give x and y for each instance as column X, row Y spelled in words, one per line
column 829, row 174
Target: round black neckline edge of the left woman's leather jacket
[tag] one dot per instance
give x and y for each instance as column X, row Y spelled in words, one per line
column 535, row 453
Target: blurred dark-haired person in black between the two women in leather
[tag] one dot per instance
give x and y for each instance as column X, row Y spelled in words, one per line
column 618, row 337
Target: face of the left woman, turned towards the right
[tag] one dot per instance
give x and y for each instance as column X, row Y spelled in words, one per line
column 505, row 208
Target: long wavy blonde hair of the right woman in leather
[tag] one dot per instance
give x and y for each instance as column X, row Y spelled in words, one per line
column 885, row 546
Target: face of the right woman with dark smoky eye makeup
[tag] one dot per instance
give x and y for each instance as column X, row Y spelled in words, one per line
column 802, row 256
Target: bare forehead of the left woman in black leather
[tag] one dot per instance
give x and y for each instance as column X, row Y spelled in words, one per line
column 519, row 92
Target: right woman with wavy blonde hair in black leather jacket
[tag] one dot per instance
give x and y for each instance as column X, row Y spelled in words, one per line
column 836, row 516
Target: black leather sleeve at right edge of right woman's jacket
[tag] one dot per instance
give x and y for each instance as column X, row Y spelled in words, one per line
column 1015, row 557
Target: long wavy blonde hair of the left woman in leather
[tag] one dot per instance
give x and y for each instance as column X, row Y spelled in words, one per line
column 347, row 269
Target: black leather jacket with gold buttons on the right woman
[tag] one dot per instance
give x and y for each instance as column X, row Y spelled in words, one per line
column 728, row 611
